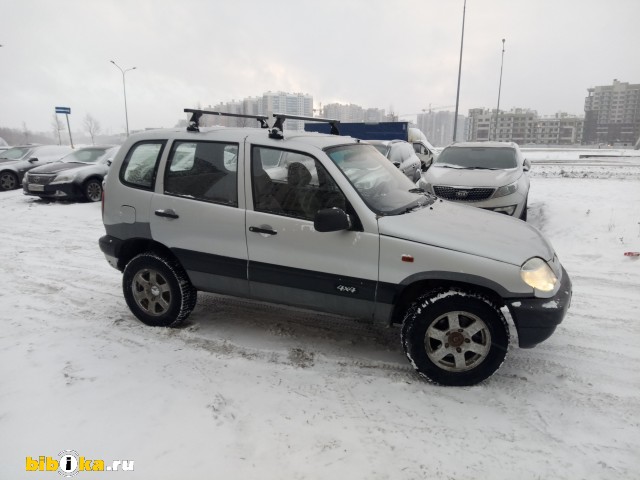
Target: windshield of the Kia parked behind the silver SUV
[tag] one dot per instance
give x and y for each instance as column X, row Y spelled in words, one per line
column 493, row 158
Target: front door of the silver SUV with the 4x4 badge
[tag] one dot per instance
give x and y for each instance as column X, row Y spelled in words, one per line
column 289, row 261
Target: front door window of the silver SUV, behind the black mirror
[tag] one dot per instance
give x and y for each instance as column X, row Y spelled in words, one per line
column 297, row 186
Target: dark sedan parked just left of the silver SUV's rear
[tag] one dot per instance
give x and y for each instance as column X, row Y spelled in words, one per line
column 77, row 176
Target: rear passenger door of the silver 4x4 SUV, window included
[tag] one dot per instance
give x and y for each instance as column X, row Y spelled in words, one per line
column 199, row 217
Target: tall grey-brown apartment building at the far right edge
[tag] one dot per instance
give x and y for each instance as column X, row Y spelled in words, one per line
column 612, row 114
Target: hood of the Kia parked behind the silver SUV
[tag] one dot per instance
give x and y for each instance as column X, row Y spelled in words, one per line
column 461, row 177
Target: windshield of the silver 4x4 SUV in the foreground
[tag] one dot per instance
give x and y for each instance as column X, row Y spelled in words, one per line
column 384, row 189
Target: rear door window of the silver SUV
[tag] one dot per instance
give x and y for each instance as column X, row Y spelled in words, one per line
column 203, row 171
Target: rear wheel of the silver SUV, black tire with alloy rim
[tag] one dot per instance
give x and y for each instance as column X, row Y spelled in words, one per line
column 158, row 291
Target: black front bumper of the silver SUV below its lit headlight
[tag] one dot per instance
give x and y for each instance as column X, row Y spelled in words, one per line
column 537, row 318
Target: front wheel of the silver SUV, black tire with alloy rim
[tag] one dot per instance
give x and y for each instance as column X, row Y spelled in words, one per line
column 447, row 355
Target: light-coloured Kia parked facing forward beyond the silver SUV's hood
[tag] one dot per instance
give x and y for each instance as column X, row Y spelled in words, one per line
column 489, row 175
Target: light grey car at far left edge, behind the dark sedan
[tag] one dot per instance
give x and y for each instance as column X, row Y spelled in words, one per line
column 16, row 161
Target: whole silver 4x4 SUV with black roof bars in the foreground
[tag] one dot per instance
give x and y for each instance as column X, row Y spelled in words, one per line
column 189, row 210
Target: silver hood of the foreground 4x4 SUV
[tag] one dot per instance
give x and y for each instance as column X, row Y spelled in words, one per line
column 469, row 230
